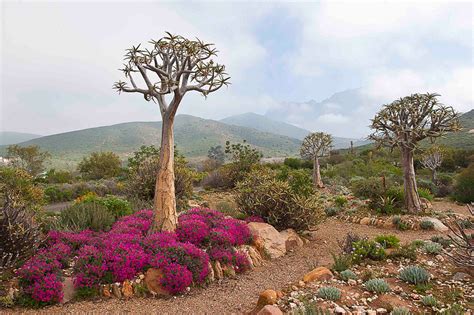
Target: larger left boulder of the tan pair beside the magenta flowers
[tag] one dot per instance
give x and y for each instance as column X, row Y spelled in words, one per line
column 268, row 238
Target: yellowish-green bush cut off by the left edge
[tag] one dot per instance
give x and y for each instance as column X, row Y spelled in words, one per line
column 18, row 189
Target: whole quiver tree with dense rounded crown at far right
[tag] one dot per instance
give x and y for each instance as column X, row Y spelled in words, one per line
column 403, row 124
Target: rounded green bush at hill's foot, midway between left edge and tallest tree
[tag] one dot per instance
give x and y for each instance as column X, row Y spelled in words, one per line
column 100, row 165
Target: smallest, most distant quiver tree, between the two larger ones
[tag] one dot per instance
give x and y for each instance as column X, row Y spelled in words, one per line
column 314, row 146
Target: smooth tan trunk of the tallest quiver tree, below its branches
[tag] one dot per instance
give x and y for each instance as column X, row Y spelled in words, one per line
column 165, row 215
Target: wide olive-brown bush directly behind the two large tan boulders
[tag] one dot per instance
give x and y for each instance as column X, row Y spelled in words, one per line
column 261, row 194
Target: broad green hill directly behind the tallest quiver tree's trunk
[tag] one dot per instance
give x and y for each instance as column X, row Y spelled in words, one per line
column 193, row 137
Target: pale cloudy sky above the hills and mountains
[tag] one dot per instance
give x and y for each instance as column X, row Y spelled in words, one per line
column 60, row 59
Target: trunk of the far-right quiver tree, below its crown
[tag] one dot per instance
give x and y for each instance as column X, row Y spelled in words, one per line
column 412, row 199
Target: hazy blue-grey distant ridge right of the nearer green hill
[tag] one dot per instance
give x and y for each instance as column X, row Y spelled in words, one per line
column 265, row 124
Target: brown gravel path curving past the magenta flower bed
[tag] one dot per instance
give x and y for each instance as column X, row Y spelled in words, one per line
column 237, row 296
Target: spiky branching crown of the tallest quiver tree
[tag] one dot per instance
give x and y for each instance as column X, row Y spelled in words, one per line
column 173, row 65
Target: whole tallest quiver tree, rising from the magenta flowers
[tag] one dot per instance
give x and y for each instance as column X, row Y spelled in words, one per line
column 174, row 66
